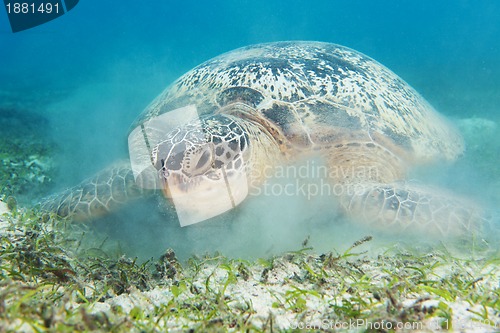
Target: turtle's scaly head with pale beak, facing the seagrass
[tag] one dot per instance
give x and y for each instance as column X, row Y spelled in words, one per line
column 203, row 162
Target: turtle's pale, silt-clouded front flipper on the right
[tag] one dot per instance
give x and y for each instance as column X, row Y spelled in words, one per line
column 404, row 207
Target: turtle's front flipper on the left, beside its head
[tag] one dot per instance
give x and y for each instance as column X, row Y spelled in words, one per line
column 95, row 196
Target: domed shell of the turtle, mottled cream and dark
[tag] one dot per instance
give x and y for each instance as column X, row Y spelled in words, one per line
column 316, row 94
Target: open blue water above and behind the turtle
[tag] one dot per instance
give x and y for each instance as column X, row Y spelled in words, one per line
column 93, row 70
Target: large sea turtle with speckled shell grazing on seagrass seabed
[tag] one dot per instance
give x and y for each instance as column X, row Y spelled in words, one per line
column 241, row 115
